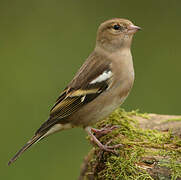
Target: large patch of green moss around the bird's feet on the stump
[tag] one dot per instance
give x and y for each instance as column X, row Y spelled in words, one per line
column 137, row 144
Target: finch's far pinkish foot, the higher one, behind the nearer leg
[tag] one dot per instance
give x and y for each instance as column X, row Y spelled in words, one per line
column 103, row 131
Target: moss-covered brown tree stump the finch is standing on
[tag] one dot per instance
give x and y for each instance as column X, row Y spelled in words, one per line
column 151, row 149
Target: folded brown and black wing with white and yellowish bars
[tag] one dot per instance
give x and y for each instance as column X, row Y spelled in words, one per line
column 93, row 78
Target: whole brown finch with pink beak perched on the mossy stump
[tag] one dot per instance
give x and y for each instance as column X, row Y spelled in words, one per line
column 99, row 87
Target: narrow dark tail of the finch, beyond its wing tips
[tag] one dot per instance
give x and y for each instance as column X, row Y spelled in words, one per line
column 33, row 140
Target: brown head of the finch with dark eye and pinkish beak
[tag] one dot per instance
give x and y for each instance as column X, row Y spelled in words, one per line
column 115, row 34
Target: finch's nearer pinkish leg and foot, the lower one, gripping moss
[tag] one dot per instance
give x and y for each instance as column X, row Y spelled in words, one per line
column 101, row 146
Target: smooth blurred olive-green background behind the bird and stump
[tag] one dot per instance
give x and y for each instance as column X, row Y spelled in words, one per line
column 43, row 43
